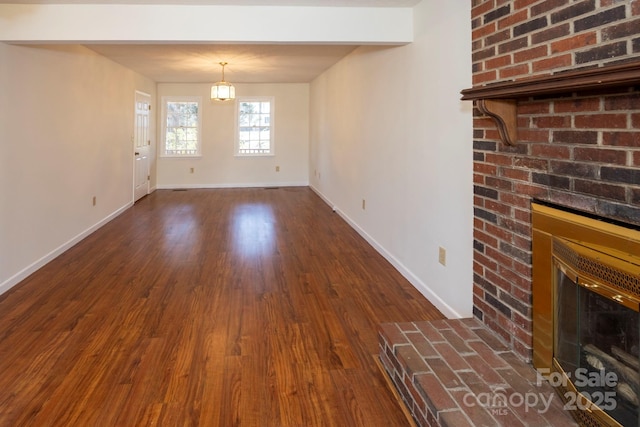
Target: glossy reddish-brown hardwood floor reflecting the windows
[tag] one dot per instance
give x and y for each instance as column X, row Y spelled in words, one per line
column 252, row 307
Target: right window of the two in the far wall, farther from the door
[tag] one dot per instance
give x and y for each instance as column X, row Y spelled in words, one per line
column 255, row 126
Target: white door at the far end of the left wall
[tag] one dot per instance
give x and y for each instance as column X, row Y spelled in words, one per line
column 141, row 145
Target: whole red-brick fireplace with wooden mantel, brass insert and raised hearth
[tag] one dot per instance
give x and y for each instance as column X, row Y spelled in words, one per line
column 556, row 91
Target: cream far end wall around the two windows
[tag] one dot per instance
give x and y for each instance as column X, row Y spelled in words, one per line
column 218, row 166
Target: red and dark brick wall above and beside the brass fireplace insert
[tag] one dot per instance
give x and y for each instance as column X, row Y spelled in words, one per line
column 578, row 150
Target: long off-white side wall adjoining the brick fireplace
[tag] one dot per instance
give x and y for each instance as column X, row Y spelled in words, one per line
column 387, row 126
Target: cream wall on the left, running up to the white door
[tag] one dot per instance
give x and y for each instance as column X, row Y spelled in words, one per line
column 66, row 120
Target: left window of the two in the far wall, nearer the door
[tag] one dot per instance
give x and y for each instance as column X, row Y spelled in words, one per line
column 181, row 126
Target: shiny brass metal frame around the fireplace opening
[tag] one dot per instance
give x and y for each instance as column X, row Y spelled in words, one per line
column 591, row 238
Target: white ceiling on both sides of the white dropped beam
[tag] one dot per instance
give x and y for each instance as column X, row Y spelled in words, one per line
column 247, row 63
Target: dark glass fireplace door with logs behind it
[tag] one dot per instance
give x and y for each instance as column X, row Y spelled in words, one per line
column 596, row 343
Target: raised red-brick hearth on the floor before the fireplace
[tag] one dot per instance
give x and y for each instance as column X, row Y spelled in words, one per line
column 445, row 369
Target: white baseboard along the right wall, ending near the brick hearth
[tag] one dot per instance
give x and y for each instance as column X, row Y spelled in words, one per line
column 425, row 290
